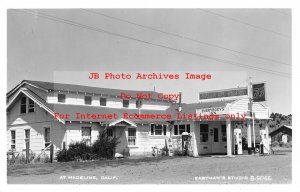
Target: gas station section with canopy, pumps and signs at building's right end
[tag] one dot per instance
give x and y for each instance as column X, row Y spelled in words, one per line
column 224, row 136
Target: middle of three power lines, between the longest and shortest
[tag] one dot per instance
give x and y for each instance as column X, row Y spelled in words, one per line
column 186, row 37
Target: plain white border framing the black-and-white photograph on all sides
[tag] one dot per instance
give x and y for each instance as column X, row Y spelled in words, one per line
column 151, row 4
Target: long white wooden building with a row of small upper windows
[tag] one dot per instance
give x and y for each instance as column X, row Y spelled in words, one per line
column 31, row 107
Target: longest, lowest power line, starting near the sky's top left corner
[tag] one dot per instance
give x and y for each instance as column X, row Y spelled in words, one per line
column 69, row 22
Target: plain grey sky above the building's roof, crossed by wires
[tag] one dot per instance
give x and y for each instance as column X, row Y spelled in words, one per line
column 123, row 40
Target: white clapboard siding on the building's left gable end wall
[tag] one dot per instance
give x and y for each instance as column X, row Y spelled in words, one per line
column 36, row 122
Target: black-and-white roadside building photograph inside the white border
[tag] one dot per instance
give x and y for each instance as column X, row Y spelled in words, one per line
column 111, row 96
